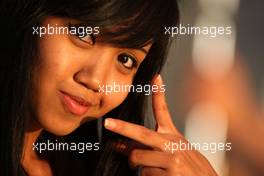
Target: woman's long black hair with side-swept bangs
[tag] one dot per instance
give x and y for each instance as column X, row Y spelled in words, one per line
column 124, row 23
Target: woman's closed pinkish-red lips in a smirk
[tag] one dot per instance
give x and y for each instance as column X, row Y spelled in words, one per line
column 75, row 105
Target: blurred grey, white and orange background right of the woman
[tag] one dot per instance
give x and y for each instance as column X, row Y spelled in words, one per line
column 215, row 85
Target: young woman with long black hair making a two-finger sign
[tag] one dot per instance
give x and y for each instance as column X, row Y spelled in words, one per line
column 51, row 89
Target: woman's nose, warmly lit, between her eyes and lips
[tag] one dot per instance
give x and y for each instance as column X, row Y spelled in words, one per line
column 95, row 70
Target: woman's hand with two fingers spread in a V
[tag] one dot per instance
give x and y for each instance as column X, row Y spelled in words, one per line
column 164, row 159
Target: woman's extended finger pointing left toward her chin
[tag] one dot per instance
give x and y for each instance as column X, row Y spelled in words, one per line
column 137, row 132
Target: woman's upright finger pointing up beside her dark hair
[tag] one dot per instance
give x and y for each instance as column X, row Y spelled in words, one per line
column 160, row 108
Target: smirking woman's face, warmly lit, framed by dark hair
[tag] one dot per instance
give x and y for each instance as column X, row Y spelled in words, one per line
column 70, row 75
